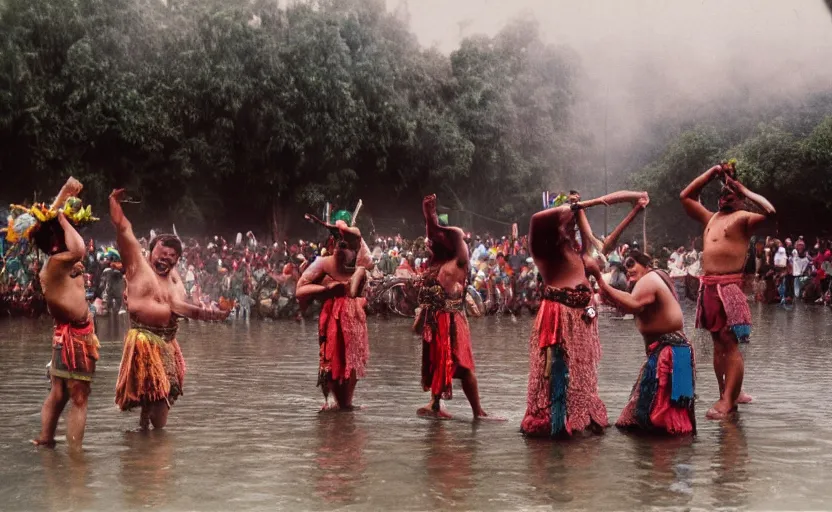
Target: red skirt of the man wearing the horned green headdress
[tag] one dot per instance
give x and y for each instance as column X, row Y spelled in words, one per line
column 342, row 328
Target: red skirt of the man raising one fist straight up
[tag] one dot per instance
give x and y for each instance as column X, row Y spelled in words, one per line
column 446, row 347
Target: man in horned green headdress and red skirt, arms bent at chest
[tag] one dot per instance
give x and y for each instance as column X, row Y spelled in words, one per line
column 338, row 280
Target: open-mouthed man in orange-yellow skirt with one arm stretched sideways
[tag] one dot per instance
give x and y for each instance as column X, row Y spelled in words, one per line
column 152, row 370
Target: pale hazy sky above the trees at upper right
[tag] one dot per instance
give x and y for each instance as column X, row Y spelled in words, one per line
column 642, row 58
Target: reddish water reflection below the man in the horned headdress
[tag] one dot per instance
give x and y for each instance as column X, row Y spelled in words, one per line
column 339, row 458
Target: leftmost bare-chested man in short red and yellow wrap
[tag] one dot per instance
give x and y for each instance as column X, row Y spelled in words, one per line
column 74, row 344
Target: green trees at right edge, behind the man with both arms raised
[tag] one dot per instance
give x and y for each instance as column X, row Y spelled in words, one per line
column 794, row 173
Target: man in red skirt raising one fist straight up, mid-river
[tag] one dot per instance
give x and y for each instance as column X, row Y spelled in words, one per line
column 446, row 339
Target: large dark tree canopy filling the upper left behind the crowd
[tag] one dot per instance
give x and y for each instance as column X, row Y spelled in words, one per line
column 222, row 113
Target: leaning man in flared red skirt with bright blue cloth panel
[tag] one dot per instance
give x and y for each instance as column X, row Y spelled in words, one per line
column 663, row 397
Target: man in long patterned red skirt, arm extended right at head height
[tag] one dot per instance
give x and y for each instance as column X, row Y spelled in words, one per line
column 564, row 348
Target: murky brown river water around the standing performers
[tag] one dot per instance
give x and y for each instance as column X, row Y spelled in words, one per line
column 247, row 435
